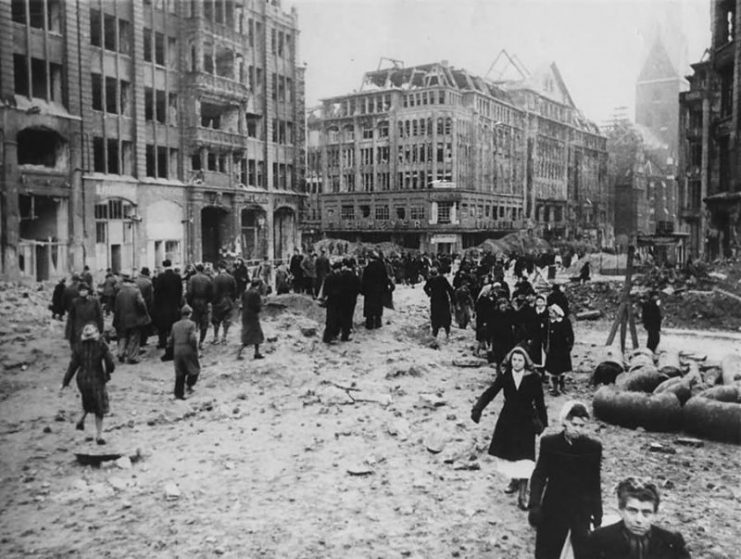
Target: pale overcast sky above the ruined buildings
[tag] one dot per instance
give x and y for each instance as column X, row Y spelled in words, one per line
column 599, row 45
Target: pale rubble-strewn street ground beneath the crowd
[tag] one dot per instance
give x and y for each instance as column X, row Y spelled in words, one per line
column 316, row 451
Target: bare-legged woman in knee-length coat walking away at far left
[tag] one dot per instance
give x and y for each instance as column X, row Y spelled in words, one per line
column 93, row 363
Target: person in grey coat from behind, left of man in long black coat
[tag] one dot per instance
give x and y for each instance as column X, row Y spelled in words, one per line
column 129, row 316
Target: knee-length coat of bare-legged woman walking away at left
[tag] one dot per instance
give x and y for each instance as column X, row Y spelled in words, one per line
column 93, row 363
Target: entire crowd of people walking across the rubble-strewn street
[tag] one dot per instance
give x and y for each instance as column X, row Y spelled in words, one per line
column 527, row 335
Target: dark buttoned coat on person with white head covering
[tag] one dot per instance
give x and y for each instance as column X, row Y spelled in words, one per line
column 567, row 479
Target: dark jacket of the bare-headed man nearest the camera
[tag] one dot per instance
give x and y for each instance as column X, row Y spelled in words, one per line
column 610, row 543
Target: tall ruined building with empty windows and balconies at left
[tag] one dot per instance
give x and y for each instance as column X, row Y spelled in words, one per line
column 138, row 130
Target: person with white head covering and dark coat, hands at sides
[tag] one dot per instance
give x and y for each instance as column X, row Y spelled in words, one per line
column 565, row 489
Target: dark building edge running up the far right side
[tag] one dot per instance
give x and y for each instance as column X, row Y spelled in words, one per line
column 709, row 170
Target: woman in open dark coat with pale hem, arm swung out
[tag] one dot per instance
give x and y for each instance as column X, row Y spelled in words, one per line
column 523, row 416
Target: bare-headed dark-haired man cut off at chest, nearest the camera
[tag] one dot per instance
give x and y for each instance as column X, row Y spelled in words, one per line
column 636, row 536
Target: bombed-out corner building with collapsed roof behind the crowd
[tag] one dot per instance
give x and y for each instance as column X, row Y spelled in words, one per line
column 433, row 158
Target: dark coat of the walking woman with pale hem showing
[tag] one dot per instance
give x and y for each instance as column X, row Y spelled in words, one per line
column 514, row 434
